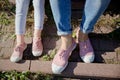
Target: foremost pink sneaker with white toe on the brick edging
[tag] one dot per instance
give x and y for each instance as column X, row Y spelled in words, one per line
column 60, row 60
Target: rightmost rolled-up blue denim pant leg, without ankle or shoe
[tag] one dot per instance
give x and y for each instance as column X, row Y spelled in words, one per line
column 92, row 11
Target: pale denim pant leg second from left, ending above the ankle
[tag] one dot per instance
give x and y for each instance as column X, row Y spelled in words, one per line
column 39, row 12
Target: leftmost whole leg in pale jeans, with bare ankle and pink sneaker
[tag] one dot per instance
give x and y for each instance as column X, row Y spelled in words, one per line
column 20, row 22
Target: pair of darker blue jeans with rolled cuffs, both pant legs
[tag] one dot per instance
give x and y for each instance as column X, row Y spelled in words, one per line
column 62, row 11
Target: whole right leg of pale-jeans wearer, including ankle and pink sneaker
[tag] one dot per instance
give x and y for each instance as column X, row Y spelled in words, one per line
column 37, row 46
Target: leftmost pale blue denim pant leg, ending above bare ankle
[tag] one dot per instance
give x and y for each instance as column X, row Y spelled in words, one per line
column 21, row 13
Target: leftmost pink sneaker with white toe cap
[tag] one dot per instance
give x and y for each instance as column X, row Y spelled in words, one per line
column 18, row 53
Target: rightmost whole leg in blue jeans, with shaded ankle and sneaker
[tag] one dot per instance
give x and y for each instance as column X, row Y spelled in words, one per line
column 92, row 11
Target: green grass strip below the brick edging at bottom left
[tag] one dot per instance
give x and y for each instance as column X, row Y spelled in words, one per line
column 14, row 75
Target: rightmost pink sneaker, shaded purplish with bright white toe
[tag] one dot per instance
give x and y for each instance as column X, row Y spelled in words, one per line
column 86, row 51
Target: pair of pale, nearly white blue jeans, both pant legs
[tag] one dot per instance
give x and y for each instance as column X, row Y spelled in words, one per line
column 21, row 14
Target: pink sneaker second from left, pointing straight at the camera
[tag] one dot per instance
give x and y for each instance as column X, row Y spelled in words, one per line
column 37, row 47
